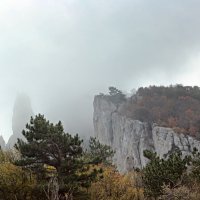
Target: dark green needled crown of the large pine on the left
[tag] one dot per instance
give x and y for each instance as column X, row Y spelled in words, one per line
column 47, row 144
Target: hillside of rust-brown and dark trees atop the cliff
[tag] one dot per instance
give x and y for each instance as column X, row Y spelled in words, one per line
column 176, row 107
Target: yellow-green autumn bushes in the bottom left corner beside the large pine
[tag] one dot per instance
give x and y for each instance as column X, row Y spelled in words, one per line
column 15, row 183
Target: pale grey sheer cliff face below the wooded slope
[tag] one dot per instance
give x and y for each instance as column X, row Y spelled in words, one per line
column 129, row 138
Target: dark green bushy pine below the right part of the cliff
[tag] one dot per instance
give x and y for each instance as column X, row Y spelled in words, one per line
column 159, row 172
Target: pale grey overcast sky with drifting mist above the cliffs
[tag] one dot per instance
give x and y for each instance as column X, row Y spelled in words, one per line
column 63, row 52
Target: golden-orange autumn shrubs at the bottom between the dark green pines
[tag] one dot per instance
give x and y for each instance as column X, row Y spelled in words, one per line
column 113, row 185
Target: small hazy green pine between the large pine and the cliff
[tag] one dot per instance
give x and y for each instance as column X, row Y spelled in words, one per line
column 99, row 153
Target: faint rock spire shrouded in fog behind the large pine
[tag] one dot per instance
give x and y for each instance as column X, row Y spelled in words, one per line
column 22, row 113
